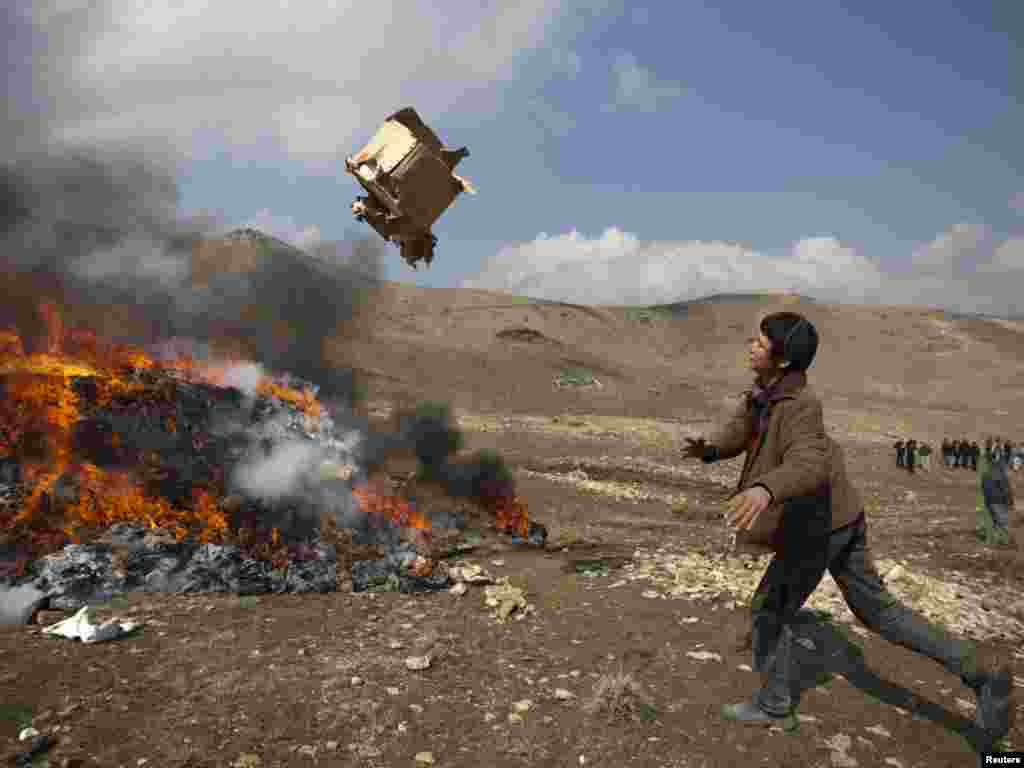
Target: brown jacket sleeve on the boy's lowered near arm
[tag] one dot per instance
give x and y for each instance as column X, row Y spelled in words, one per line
column 805, row 453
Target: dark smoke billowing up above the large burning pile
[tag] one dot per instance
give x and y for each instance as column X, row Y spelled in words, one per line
column 89, row 226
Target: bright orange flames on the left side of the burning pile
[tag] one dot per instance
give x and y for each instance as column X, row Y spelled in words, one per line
column 39, row 409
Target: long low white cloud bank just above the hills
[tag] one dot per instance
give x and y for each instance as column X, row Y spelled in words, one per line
column 618, row 268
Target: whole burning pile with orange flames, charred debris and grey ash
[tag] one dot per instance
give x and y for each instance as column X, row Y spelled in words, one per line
column 129, row 468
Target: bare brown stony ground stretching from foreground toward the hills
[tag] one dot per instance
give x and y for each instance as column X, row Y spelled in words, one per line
column 598, row 672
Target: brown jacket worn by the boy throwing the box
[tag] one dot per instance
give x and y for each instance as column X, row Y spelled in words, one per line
column 793, row 458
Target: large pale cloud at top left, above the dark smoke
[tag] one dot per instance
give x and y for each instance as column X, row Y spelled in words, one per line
column 312, row 79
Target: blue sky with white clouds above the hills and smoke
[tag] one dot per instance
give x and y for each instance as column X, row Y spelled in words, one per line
column 854, row 151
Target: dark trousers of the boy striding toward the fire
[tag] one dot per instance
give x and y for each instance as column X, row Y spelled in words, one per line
column 791, row 579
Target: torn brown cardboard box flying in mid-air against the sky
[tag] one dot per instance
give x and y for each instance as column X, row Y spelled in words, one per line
column 410, row 181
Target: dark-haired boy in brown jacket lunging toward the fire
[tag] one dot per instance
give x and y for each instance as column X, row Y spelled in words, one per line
column 793, row 470
